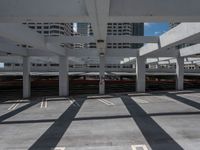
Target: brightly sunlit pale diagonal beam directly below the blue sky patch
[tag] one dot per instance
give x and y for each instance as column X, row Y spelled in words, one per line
column 183, row 33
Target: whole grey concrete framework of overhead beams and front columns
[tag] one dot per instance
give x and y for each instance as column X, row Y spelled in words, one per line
column 105, row 23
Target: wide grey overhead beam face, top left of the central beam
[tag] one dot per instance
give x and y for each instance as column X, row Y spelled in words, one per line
column 42, row 11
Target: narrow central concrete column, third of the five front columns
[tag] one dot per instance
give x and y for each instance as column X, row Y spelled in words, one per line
column 102, row 74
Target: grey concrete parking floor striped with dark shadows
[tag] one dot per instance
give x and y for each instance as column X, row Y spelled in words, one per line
column 134, row 121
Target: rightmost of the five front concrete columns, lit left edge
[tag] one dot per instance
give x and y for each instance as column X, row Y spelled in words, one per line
column 179, row 73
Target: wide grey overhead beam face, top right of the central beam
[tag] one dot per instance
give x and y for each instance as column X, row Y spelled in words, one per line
column 156, row 10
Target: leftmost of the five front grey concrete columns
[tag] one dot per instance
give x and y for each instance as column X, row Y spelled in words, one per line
column 26, row 77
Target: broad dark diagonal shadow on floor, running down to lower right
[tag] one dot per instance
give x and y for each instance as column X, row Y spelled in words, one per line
column 157, row 137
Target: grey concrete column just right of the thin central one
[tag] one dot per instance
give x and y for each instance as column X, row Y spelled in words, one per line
column 140, row 74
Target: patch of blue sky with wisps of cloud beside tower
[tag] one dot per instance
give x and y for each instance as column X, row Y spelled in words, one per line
column 155, row 29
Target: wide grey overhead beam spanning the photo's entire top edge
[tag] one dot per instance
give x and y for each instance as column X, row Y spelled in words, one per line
column 76, row 11
